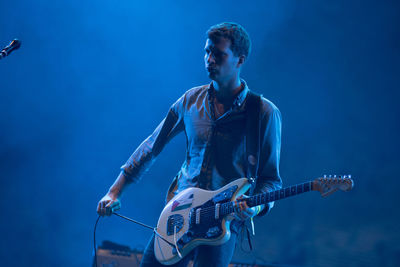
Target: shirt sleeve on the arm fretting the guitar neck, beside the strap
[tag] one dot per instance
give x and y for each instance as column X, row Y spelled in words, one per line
column 270, row 136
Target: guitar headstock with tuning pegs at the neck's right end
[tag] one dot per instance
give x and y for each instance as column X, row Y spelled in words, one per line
column 328, row 185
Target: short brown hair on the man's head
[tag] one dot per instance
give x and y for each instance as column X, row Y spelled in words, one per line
column 240, row 40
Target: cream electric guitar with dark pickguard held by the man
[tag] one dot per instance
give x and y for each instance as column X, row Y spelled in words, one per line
column 199, row 217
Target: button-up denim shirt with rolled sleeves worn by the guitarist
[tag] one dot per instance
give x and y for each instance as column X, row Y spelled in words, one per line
column 215, row 148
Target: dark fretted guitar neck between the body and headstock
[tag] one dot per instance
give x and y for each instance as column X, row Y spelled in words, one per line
column 265, row 198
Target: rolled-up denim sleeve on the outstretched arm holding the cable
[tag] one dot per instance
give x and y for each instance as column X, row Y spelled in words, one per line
column 145, row 155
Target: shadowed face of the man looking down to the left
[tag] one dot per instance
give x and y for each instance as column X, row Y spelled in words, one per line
column 220, row 62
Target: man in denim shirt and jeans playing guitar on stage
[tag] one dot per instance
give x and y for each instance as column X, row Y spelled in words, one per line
column 213, row 118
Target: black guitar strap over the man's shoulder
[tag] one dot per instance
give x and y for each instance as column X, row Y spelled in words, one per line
column 252, row 136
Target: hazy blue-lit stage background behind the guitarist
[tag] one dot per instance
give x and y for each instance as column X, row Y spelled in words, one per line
column 92, row 79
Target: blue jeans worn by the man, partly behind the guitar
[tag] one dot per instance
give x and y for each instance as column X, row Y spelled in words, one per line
column 203, row 255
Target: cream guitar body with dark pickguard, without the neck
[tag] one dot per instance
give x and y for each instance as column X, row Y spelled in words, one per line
column 190, row 219
